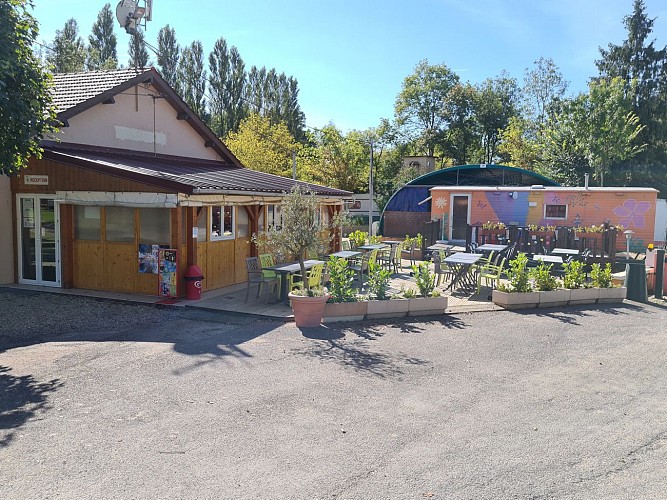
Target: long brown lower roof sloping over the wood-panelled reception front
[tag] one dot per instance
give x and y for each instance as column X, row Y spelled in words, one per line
column 185, row 175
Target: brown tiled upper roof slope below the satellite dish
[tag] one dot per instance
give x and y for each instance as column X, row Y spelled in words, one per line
column 71, row 89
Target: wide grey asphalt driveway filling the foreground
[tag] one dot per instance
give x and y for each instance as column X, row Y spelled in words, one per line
column 567, row 403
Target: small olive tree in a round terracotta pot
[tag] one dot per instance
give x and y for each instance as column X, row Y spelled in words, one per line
column 302, row 233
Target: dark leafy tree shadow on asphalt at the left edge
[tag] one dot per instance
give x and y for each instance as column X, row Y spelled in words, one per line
column 22, row 398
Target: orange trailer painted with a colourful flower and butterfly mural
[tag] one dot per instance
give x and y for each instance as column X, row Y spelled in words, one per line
column 631, row 208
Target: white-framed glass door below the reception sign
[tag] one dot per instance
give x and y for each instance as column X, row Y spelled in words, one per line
column 39, row 241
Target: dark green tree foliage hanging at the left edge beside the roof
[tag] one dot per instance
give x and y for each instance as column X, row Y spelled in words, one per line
column 26, row 109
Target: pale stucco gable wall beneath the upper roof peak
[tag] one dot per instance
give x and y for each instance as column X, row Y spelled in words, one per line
column 142, row 122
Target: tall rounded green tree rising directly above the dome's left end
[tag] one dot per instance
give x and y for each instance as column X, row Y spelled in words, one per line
column 419, row 105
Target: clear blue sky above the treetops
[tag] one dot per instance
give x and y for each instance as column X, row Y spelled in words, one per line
column 350, row 57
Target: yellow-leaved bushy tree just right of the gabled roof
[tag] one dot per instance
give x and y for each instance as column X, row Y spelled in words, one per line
column 262, row 146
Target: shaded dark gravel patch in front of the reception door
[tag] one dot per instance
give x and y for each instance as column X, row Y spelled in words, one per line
column 28, row 315
